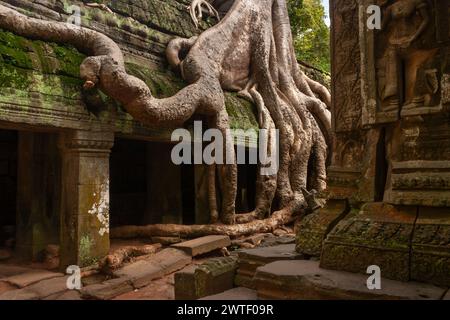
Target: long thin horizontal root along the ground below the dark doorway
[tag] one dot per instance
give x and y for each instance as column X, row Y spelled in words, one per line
column 268, row 225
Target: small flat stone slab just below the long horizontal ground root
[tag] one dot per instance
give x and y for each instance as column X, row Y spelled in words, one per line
column 203, row 245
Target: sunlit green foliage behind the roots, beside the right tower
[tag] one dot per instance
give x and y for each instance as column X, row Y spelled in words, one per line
column 311, row 34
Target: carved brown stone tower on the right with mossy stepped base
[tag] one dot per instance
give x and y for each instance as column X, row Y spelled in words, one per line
column 389, row 177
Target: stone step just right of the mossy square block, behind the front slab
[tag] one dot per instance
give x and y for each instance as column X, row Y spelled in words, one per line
column 251, row 259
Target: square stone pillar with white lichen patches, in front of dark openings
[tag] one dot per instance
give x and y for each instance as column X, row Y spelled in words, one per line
column 85, row 196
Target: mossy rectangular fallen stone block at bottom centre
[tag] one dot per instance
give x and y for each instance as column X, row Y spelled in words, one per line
column 211, row 277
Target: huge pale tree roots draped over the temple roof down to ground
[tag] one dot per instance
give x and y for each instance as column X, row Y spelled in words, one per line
column 250, row 51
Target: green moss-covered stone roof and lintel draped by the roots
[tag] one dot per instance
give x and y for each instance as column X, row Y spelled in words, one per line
column 39, row 83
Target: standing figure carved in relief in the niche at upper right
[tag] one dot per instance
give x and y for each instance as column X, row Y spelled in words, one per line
column 407, row 58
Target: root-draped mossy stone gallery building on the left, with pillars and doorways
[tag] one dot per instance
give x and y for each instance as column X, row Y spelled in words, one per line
column 72, row 163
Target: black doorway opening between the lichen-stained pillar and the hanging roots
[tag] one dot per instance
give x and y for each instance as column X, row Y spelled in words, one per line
column 146, row 187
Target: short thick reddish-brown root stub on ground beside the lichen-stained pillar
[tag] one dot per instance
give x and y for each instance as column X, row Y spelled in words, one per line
column 119, row 257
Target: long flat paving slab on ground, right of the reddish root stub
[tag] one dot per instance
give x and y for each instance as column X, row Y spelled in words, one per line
column 164, row 262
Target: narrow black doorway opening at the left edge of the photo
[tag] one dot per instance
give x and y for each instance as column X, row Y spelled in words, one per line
column 8, row 187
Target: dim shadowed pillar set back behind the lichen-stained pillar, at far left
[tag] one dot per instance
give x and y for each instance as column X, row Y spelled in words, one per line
column 38, row 193
